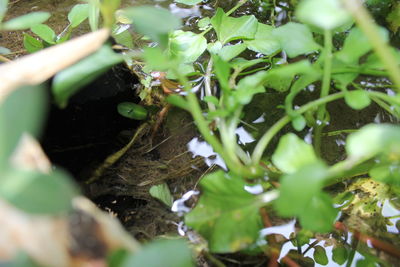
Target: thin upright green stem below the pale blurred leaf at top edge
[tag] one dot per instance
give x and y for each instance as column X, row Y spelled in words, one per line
column 326, row 84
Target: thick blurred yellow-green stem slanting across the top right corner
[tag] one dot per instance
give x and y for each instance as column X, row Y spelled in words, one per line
column 370, row 29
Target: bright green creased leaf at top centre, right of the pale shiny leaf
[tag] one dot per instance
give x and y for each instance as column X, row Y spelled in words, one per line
column 229, row 29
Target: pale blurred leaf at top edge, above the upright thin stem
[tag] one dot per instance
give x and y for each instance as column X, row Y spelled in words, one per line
column 325, row 14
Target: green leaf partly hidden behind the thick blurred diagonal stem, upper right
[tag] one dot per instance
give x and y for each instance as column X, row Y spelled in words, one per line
column 356, row 45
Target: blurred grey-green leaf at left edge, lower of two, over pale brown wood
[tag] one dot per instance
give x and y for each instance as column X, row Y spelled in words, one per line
column 36, row 192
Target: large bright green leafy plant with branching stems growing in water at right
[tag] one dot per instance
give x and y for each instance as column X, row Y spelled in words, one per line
column 224, row 203
